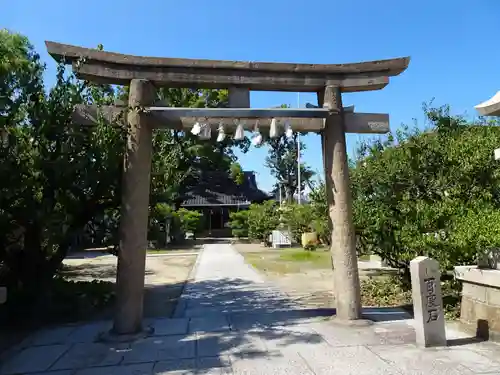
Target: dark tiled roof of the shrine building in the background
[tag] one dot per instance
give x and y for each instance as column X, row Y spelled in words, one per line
column 217, row 188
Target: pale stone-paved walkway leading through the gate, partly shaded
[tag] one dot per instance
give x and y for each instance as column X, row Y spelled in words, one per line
column 230, row 321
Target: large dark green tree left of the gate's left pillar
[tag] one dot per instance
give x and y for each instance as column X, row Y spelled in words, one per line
column 55, row 177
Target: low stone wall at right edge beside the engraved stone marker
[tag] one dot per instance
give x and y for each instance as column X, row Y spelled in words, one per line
column 480, row 310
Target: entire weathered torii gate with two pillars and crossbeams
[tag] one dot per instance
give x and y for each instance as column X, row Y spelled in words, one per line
column 331, row 120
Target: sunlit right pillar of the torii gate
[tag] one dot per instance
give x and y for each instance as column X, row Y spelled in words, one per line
column 343, row 247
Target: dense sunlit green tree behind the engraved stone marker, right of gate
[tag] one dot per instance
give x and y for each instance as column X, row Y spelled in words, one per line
column 412, row 193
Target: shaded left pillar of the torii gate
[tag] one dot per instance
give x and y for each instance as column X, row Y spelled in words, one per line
column 134, row 212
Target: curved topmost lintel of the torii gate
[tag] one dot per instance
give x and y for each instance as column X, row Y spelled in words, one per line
column 115, row 68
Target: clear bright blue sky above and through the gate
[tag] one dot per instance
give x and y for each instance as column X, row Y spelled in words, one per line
column 453, row 45
